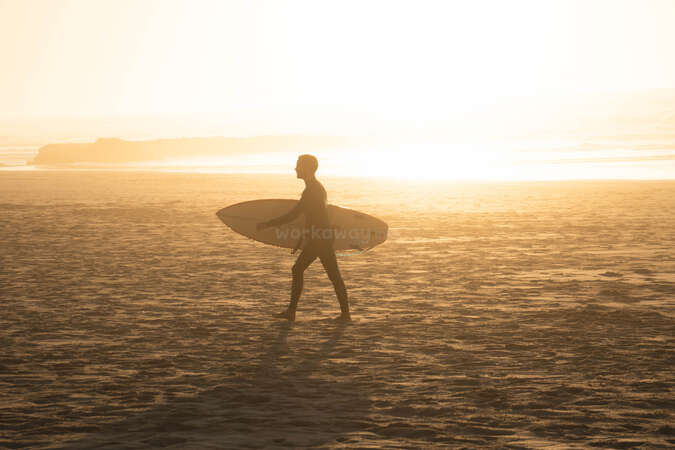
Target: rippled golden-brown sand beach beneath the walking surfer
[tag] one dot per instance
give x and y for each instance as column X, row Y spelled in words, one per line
column 497, row 315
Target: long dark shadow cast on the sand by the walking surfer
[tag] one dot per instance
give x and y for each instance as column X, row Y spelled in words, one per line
column 288, row 399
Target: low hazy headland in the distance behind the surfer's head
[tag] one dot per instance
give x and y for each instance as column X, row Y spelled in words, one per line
column 113, row 150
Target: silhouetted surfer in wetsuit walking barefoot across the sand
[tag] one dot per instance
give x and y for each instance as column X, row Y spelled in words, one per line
column 318, row 237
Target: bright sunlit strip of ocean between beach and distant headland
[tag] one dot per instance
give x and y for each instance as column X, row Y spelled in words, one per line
column 538, row 157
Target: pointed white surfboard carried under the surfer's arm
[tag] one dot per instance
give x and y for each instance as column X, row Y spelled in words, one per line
column 353, row 231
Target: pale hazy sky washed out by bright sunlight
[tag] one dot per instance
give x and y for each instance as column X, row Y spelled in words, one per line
column 97, row 57
